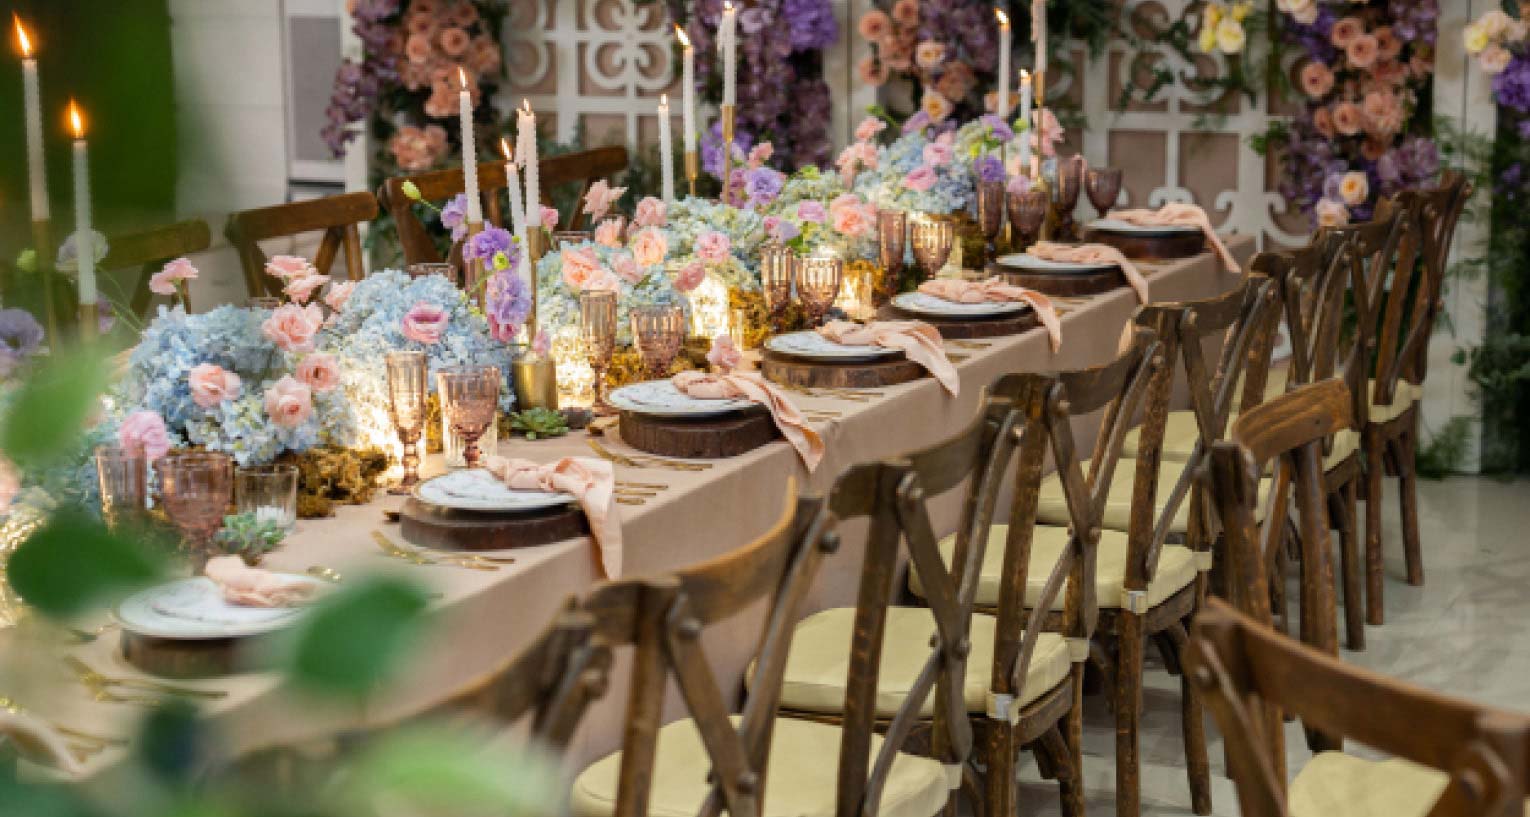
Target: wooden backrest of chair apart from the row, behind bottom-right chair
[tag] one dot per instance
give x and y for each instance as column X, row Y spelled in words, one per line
column 1287, row 431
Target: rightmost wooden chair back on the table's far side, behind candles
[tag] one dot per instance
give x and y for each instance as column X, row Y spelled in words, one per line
column 568, row 169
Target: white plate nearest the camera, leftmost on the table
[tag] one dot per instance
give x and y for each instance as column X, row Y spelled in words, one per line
column 195, row 610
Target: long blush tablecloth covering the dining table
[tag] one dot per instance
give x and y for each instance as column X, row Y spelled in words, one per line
column 483, row 617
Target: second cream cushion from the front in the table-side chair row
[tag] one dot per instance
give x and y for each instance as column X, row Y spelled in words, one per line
column 821, row 657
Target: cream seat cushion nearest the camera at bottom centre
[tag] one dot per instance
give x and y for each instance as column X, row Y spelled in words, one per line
column 801, row 780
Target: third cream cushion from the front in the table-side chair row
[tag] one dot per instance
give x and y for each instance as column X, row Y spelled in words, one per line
column 1176, row 568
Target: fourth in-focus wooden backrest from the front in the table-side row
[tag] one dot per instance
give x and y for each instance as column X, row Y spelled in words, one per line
column 1239, row 317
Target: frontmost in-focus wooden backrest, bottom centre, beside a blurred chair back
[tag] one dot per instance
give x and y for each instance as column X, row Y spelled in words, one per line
column 663, row 620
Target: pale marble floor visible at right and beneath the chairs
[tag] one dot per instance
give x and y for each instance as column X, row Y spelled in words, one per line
column 1462, row 633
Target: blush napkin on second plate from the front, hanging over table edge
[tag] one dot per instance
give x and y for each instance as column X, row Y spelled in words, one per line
column 593, row 483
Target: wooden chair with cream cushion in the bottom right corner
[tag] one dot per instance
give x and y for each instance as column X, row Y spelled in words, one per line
column 1451, row 758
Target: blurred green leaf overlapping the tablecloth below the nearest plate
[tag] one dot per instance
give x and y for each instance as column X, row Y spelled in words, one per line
column 354, row 640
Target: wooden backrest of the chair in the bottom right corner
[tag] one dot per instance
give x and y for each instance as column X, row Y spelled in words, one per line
column 1243, row 666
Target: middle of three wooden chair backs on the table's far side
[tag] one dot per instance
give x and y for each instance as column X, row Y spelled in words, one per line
column 339, row 216
